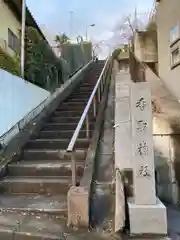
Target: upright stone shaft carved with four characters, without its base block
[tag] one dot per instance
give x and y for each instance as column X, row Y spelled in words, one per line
column 142, row 145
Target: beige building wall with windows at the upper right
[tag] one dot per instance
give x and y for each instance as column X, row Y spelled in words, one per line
column 168, row 25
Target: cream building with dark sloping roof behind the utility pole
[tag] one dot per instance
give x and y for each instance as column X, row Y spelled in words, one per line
column 10, row 25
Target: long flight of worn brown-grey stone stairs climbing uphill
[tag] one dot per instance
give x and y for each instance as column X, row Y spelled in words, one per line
column 33, row 199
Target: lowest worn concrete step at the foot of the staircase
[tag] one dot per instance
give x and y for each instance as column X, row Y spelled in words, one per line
column 21, row 226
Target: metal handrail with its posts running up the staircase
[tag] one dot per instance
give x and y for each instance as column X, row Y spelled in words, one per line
column 94, row 100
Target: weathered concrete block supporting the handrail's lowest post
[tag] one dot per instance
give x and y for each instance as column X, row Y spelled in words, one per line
column 78, row 207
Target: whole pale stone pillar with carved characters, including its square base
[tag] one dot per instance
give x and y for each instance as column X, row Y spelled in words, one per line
column 146, row 213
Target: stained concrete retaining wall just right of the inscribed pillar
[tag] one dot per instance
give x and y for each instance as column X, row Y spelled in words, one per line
column 166, row 146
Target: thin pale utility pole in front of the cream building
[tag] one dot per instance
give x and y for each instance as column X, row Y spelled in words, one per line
column 23, row 25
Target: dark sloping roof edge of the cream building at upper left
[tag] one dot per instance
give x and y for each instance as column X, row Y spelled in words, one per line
column 16, row 7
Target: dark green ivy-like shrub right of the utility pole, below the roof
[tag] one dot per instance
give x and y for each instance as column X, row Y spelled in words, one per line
column 42, row 67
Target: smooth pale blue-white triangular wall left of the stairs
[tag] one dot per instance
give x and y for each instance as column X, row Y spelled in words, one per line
column 17, row 99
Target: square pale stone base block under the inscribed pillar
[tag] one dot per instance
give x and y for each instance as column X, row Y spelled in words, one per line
column 147, row 219
